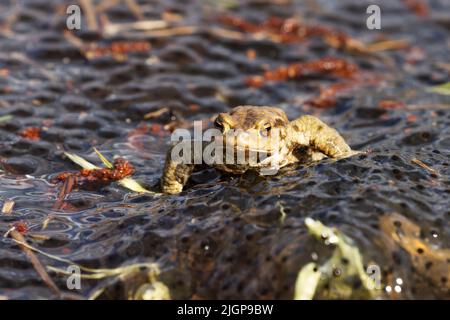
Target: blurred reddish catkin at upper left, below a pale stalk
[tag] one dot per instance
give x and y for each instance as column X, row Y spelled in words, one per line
column 116, row 49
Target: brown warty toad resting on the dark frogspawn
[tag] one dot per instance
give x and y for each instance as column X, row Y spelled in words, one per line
column 262, row 139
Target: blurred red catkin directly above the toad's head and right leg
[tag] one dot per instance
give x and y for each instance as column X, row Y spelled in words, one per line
column 325, row 66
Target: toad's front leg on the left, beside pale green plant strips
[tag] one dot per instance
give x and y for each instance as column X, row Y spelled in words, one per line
column 175, row 175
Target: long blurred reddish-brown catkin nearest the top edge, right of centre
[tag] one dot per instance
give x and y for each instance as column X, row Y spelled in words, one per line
column 291, row 30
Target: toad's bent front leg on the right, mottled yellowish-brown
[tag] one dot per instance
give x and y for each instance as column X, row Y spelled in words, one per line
column 310, row 131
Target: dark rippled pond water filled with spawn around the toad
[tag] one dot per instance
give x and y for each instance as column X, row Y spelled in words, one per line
column 222, row 237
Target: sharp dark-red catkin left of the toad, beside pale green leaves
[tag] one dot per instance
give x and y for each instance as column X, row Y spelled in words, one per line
column 99, row 177
